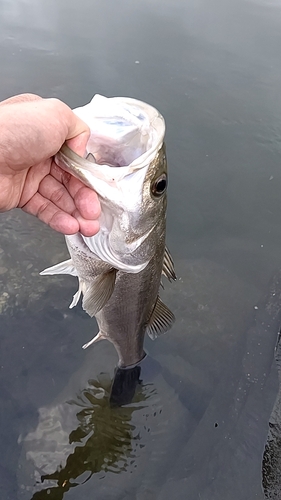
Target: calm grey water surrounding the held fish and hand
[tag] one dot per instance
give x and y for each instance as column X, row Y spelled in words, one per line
column 198, row 426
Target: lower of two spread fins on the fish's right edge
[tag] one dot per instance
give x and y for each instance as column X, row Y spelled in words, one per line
column 160, row 321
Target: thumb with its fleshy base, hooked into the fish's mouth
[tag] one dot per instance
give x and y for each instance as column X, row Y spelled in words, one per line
column 42, row 126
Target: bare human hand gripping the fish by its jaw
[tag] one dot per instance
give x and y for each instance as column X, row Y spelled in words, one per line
column 32, row 130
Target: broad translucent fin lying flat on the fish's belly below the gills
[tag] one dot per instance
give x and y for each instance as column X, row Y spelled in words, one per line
column 97, row 293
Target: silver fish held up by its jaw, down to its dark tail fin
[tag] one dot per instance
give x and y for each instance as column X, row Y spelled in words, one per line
column 119, row 269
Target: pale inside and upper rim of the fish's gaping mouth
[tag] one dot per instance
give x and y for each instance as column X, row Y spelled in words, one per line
column 124, row 131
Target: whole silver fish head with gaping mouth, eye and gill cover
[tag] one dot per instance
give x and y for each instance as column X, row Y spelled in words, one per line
column 128, row 170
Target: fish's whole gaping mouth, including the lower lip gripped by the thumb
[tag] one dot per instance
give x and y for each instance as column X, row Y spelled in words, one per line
column 125, row 136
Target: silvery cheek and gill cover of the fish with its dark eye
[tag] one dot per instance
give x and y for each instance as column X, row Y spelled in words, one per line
column 138, row 211
